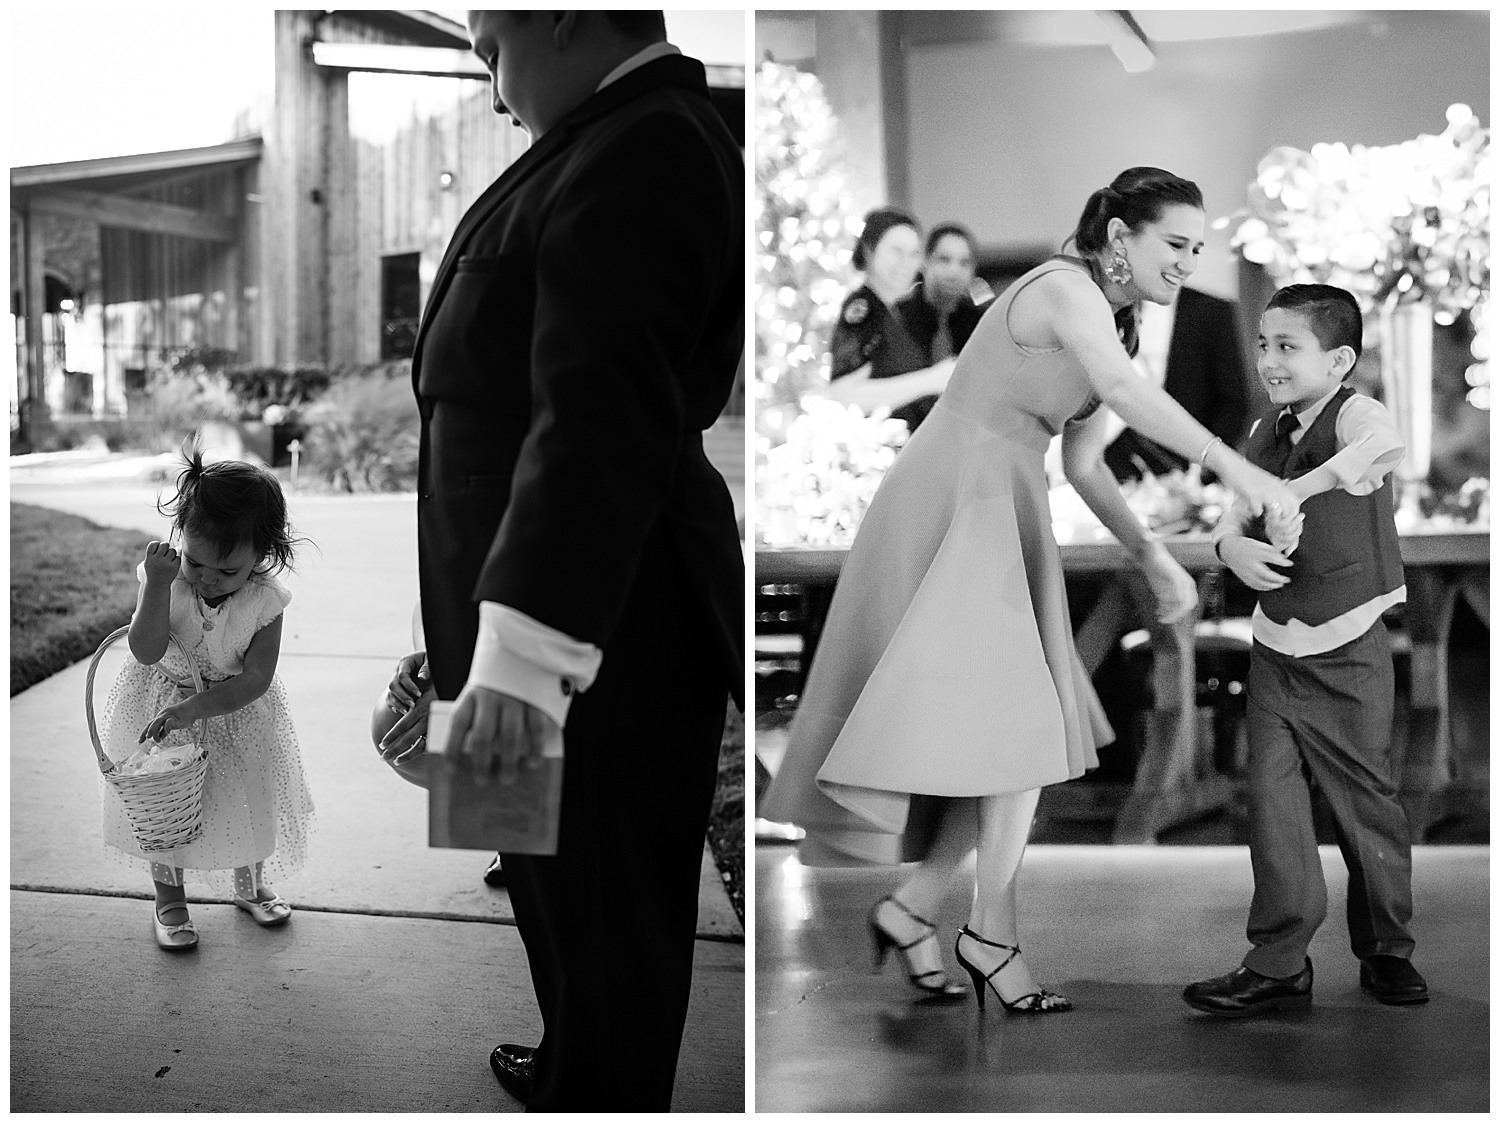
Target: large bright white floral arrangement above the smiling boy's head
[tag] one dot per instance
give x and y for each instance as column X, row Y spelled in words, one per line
column 1400, row 224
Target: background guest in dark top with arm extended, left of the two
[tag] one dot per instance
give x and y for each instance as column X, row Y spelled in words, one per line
column 874, row 361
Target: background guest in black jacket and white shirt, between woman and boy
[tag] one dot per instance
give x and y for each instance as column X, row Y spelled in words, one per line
column 1192, row 350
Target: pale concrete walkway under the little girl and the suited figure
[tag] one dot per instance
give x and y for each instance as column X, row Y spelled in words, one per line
column 401, row 969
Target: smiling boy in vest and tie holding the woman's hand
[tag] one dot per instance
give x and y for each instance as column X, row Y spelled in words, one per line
column 1322, row 686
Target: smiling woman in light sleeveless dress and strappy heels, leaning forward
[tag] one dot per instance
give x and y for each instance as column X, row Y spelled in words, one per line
column 947, row 690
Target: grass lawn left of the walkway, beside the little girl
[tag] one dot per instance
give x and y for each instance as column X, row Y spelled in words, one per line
column 73, row 584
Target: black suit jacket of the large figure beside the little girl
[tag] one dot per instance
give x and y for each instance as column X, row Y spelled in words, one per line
column 583, row 331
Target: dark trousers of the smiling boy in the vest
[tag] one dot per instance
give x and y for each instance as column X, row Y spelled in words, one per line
column 1325, row 720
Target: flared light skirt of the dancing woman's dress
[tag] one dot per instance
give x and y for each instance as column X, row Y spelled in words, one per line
column 947, row 665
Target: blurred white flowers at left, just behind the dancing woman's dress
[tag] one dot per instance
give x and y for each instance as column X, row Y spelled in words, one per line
column 814, row 488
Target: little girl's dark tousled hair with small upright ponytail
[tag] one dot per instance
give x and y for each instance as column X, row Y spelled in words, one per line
column 230, row 505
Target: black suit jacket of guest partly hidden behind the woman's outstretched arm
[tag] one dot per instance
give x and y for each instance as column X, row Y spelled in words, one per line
column 1205, row 373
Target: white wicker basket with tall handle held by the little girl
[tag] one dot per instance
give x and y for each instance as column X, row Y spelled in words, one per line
column 166, row 809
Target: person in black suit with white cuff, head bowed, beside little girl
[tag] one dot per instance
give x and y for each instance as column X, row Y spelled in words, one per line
column 581, row 566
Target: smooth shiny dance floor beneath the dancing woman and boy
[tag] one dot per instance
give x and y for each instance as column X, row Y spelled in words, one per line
column 1120, row 930
